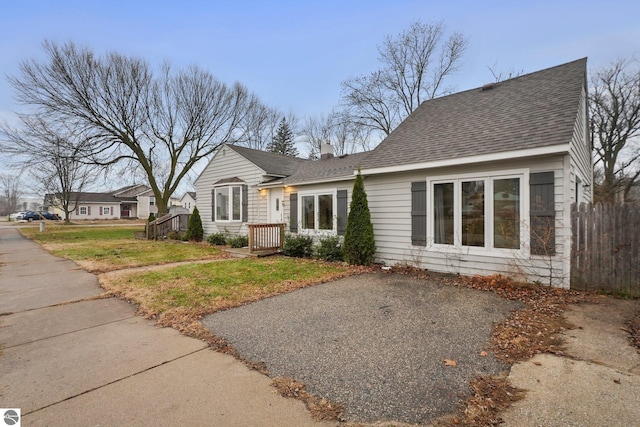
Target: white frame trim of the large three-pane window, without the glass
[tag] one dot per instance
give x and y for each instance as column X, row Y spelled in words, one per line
column 488, row 178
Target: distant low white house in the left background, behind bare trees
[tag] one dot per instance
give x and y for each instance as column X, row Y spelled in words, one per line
column 134, row 201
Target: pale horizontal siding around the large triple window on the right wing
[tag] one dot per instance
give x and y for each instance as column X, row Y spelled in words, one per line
column 389, row 198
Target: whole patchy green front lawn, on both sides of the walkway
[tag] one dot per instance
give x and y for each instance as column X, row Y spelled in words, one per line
column 179, row 294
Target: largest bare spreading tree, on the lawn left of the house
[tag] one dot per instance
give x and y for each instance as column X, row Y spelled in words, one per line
column 164, row 125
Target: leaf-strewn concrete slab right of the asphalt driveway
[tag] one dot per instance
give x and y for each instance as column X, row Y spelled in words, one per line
column 597, row 381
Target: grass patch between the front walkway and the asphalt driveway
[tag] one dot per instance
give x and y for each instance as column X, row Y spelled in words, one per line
column 178, row 295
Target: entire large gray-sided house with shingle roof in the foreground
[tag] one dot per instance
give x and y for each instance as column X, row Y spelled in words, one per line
column 477, row 182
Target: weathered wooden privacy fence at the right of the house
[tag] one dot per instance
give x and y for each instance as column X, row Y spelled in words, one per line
column 605, row 251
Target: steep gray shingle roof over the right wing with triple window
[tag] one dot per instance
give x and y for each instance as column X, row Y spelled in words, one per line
column 529, row 111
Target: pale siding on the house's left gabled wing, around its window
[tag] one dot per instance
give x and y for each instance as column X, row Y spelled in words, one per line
column 228, row 164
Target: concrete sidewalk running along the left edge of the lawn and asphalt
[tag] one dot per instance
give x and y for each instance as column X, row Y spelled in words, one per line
column 69, row 360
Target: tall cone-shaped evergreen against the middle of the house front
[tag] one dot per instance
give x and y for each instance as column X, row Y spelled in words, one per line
column 359, row 243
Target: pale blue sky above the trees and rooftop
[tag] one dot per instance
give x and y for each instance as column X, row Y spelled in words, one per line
column 294, row 54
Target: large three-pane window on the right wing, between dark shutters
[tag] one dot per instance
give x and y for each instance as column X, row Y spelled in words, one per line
column 483, row 211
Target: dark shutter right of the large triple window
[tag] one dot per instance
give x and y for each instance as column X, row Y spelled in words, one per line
column 542, row 213
